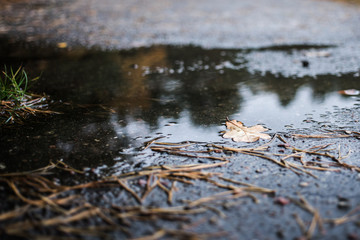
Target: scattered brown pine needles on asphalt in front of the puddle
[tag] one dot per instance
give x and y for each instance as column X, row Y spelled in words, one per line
column 44, row 206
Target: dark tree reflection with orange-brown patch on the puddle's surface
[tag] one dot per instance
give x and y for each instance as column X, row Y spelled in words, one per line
column 143, row 87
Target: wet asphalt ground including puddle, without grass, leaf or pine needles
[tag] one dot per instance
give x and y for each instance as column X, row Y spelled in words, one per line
column 280, row 64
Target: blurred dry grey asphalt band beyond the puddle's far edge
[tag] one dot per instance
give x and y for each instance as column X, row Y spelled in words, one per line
column 126, row 24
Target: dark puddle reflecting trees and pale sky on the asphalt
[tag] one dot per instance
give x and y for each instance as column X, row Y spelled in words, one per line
column 114, row 101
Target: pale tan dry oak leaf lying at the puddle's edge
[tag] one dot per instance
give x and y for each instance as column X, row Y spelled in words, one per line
column 239, row 133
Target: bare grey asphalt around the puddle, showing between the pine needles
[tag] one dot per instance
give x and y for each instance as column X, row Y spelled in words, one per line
column 275, row 32
